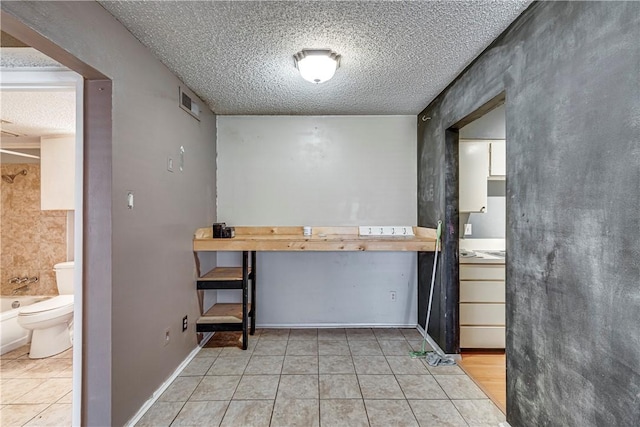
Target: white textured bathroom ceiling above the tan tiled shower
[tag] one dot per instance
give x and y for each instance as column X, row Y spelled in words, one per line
column 42, row 113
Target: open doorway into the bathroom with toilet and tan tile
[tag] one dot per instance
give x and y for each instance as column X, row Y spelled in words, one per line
column 42, row 139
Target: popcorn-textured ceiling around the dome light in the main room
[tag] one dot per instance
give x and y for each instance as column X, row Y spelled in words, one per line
column 238, row 56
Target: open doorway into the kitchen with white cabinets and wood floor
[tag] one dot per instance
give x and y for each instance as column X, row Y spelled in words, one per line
column 480, row 273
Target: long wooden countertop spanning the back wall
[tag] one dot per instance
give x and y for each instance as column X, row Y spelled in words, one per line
column 322, row 239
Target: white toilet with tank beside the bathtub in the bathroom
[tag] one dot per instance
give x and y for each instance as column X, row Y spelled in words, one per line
column 51, row 319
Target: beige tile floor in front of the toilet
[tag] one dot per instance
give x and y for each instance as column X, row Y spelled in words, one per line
column 35, row 392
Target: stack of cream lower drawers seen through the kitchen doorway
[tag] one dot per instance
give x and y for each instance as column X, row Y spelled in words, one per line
column 482, row 306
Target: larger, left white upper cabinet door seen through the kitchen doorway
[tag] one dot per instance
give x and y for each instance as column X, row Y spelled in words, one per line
column 474, row 171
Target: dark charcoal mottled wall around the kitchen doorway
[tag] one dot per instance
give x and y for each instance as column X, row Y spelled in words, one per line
column 571, row 76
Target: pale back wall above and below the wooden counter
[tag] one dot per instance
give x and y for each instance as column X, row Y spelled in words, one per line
column 338, row 170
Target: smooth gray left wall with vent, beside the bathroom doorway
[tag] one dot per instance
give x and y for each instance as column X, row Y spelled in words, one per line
column 151, row 263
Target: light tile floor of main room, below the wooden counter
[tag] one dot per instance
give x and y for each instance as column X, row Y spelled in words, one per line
column 321, row 377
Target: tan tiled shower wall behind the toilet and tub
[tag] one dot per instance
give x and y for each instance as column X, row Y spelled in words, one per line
column 31, row 240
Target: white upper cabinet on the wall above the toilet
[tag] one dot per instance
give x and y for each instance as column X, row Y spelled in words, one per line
column 57, row 173
